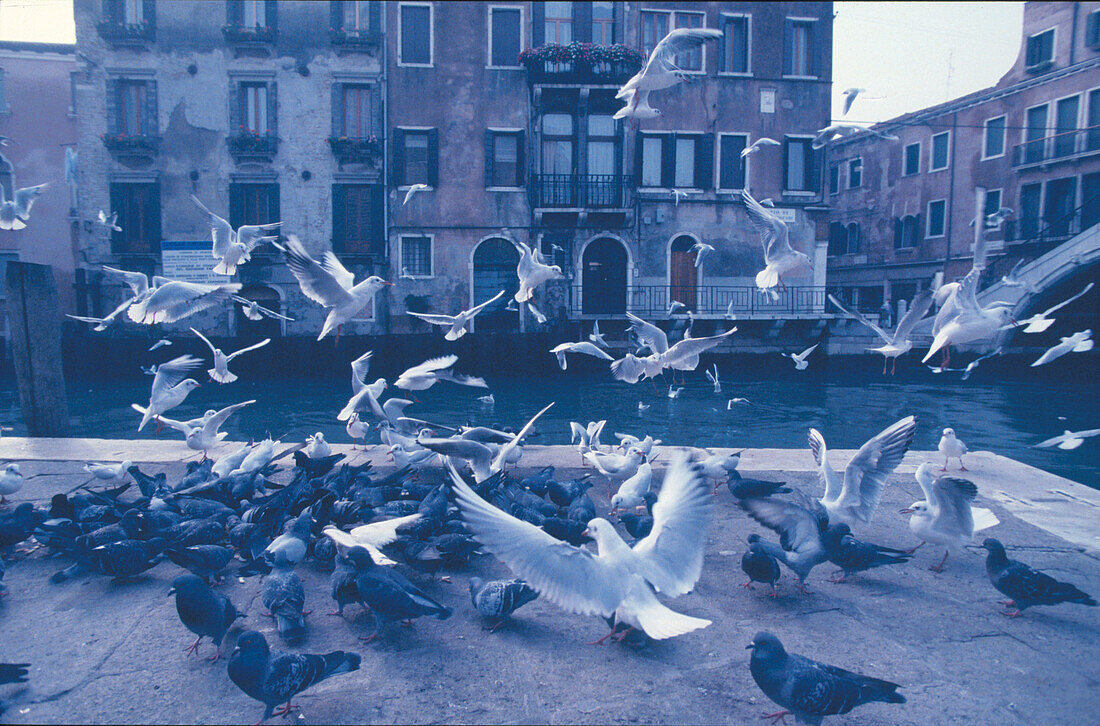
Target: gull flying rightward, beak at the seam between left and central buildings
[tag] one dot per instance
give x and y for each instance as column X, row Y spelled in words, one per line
column 329, row 284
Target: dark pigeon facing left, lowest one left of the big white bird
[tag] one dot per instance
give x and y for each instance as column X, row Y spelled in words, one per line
column 273, row 678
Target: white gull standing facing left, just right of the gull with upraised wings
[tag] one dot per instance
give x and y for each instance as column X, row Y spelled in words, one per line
column 947, row 515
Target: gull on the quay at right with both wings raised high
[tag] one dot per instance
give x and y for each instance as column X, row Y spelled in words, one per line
column 855, row 500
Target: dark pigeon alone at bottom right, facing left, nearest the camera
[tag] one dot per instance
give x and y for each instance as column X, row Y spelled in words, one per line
column 809, row 690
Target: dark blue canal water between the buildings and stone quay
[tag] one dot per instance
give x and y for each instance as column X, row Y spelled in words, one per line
column 1006, row 416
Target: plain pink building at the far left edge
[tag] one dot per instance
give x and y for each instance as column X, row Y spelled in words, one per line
column 38, row 118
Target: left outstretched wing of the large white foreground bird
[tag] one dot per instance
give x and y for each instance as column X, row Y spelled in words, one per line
column 570, row 577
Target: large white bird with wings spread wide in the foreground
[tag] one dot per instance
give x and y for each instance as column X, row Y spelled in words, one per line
column 619, row 581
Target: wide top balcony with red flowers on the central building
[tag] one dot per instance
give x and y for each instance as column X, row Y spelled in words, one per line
column 581, row 64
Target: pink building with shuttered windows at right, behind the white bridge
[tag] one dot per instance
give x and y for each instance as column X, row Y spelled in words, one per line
column 903, row 211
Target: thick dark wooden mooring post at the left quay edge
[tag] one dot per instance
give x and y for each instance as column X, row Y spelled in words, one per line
column 36, row 324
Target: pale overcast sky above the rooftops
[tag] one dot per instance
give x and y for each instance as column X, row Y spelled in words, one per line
column 912, row 54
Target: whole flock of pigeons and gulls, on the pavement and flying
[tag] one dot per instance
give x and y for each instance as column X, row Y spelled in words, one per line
column 371, row 529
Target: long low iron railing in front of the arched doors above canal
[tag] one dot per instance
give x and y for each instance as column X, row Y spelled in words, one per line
column 653, row 302
